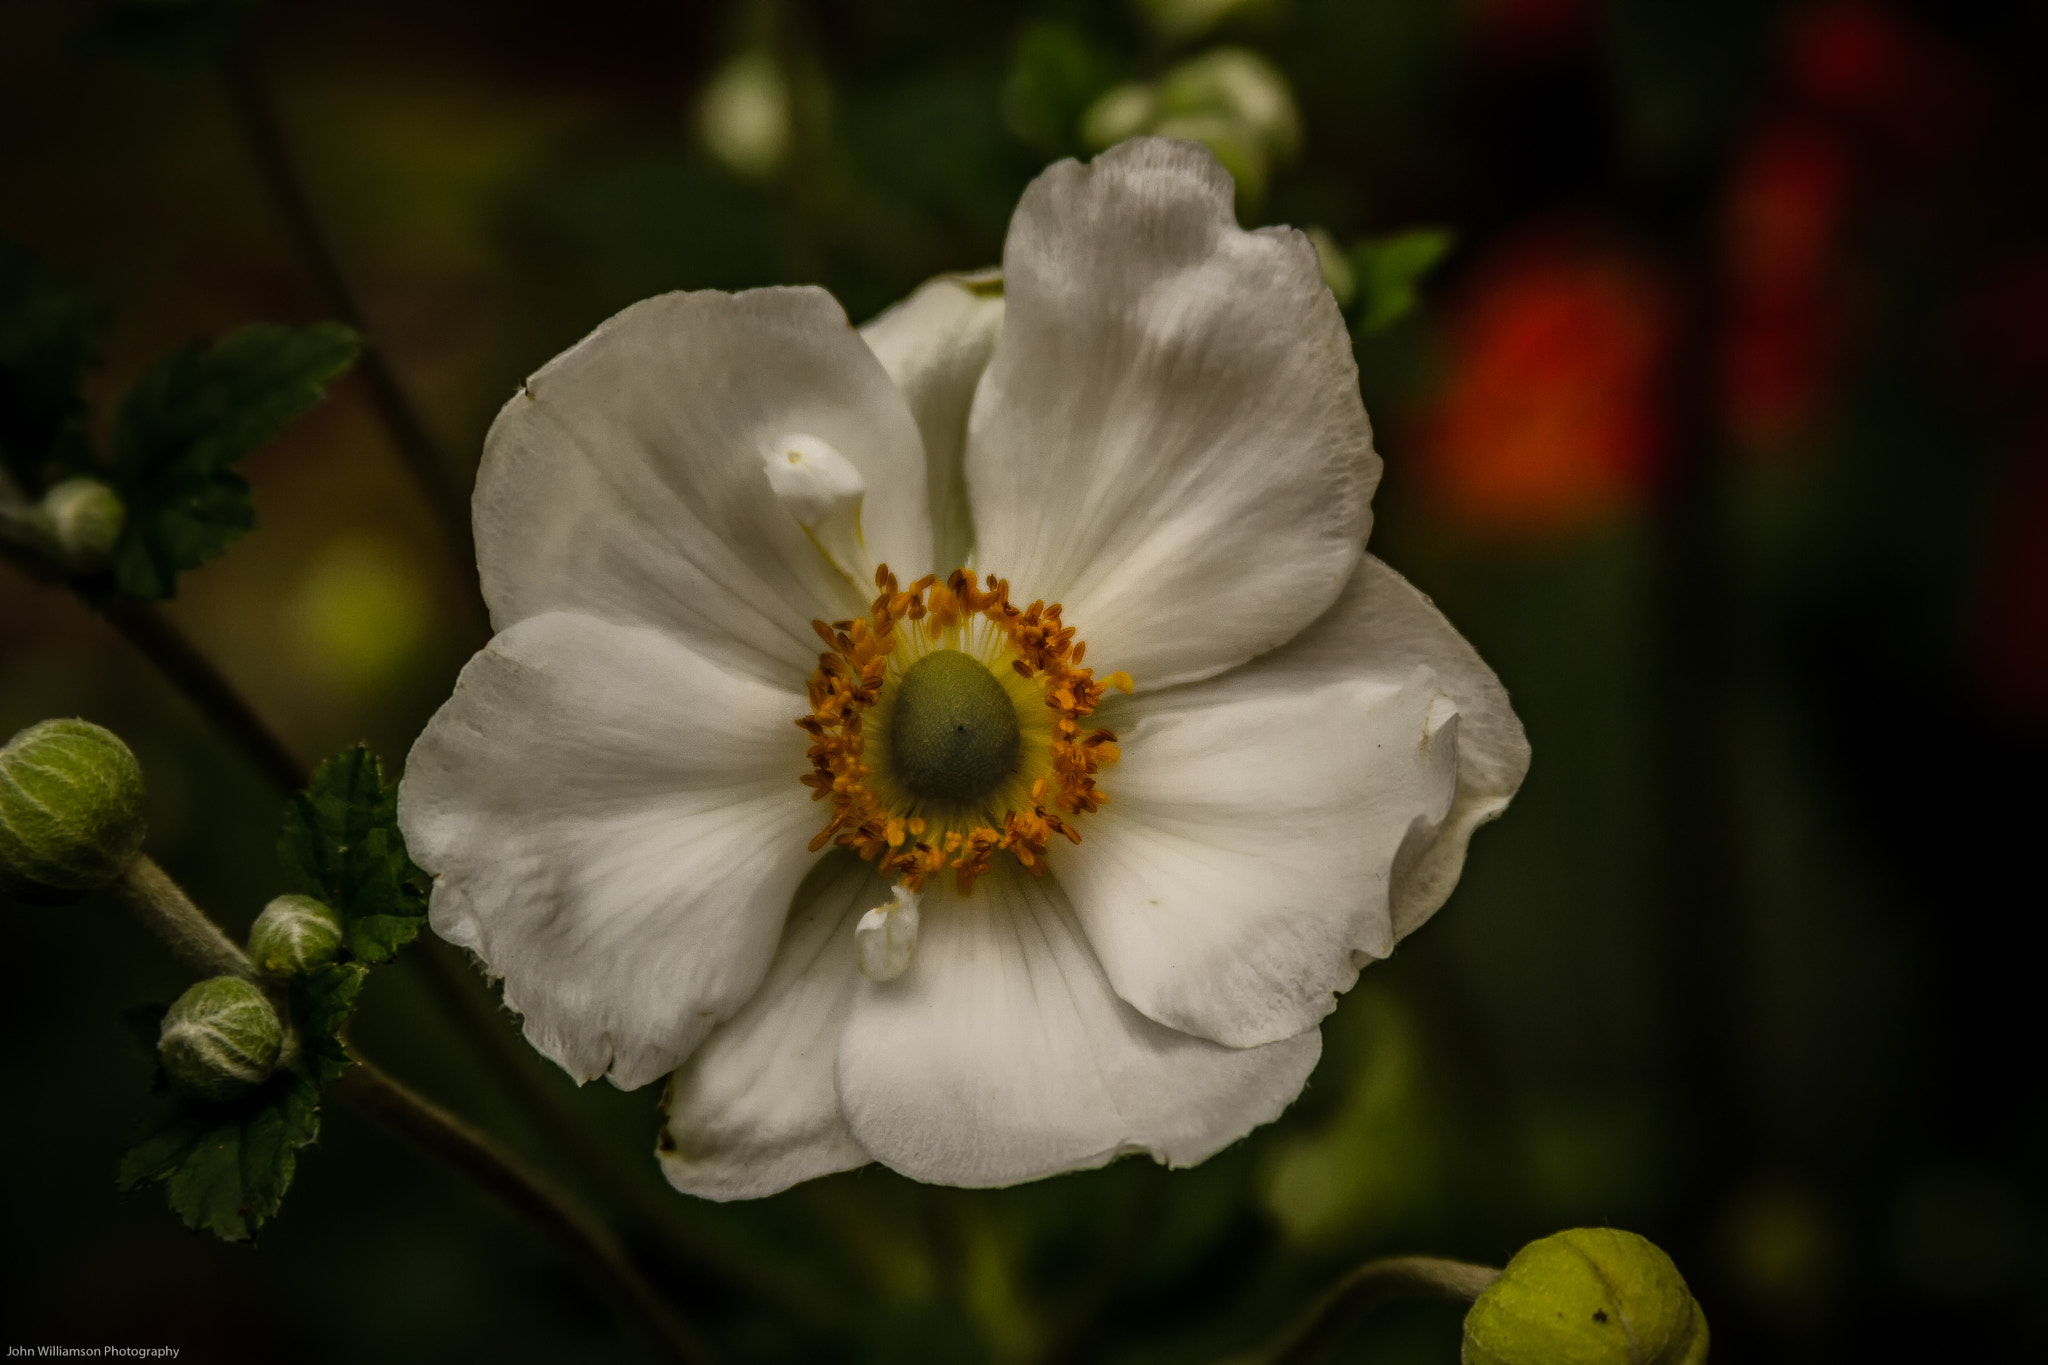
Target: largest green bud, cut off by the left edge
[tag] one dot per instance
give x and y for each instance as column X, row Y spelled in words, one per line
column 71, row 811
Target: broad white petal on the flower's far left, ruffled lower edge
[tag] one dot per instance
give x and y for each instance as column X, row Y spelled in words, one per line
column 615, row 828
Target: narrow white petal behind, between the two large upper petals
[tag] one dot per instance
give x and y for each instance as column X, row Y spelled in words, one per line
column 935, row 347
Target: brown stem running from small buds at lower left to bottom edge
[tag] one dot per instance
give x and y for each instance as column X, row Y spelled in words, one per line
column 495, row 1170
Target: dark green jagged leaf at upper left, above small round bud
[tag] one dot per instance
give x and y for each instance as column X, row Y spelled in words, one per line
column 189, row 423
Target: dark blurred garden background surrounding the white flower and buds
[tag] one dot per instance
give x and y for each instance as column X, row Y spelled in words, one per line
column 1721, row 431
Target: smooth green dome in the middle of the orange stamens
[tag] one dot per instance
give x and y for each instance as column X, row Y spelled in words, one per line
column 955, row 732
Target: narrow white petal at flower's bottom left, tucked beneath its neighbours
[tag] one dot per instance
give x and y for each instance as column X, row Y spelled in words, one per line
column 757, row 1110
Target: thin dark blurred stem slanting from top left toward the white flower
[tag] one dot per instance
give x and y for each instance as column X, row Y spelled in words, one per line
column 417, row 449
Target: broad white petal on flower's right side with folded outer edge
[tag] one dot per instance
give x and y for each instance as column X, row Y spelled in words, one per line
column 1275, row 828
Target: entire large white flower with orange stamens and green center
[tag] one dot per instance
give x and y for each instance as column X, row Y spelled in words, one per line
column 1152, row 421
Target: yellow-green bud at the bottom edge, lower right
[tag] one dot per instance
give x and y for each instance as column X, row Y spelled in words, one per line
column 1590, row 1296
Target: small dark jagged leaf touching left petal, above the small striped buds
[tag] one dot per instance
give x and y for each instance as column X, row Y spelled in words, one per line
column 343, row 846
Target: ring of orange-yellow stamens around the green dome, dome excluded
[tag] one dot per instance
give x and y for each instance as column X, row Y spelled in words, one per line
column 1037, row 664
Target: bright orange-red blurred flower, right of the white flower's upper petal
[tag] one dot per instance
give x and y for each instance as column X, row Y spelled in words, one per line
column 1551, row 414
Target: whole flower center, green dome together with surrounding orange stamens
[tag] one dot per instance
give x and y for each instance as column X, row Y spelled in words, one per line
column 947, row 730
